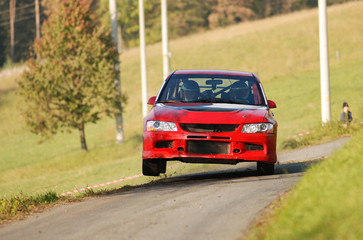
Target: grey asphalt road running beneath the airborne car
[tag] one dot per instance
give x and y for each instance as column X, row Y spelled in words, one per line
column 209, row 205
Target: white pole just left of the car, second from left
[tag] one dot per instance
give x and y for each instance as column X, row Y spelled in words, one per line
column 143, row 57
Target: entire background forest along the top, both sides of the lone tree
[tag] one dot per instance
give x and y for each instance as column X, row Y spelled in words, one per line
column 185, row 17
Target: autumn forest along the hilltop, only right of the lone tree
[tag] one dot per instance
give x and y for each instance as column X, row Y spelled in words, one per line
column 190, row 16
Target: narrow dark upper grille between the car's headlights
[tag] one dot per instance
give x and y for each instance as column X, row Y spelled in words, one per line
column 190, row 127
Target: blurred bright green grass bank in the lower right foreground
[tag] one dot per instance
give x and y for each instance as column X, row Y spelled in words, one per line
column 325, row 204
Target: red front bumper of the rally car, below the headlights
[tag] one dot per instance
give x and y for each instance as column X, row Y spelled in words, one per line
column 210, row 147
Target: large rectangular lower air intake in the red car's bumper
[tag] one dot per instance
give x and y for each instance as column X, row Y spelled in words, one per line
column 208, row 147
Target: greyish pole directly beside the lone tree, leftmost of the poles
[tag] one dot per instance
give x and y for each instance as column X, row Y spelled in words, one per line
column 114, row 29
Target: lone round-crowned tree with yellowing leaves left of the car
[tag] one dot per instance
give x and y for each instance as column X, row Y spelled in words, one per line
column 71, row 80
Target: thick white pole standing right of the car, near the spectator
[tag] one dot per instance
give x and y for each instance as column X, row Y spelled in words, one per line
column 324, row 63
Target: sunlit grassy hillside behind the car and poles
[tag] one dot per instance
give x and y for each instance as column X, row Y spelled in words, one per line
column 282, row 50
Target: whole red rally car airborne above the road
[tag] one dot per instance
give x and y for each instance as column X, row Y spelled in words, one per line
column 209, row 116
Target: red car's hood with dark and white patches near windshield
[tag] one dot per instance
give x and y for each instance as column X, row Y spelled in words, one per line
column 208, row 113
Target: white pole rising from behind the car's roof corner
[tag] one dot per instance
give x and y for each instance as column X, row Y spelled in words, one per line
column 164, row 26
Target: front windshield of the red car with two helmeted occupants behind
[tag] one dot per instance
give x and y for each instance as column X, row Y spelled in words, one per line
column 212, row 89
